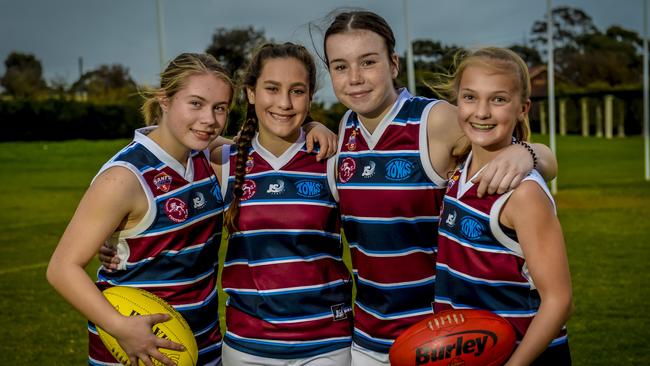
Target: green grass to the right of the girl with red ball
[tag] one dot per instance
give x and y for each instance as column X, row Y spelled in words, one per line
column 604, row 208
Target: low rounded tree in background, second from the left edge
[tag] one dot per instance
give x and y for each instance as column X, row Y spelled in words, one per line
column 108, row 82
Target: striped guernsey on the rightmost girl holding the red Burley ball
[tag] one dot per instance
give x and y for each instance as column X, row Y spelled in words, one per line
column 480, row 263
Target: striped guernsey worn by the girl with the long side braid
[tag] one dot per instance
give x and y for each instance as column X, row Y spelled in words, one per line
column 289, row 290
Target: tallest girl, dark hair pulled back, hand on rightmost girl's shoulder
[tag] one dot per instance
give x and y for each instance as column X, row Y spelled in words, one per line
column 396, row 153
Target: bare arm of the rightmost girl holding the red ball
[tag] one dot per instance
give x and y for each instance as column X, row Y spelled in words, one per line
column 531, row 213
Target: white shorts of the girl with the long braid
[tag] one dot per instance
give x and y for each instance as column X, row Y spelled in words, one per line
column 233, row 357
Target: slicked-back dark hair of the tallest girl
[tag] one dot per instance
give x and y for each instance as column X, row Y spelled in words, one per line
column 360, row 20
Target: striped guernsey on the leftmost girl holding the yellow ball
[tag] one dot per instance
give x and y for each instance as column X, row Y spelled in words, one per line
column 173, row 251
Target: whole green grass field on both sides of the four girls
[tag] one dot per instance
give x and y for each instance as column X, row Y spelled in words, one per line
column 604, row 206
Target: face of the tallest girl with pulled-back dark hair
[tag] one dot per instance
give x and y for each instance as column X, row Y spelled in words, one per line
column 362, row 73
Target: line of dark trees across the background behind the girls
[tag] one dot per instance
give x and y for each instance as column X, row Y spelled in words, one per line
column 586, row 58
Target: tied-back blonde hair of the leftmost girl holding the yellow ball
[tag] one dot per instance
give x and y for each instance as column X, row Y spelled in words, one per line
column 173, row 79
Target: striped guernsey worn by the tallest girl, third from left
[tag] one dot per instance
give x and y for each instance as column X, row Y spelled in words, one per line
column 390, row 200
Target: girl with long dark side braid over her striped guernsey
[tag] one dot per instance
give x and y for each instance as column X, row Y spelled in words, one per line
column 290, row 292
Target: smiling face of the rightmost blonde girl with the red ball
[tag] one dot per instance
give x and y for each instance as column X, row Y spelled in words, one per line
column 489, row 106
